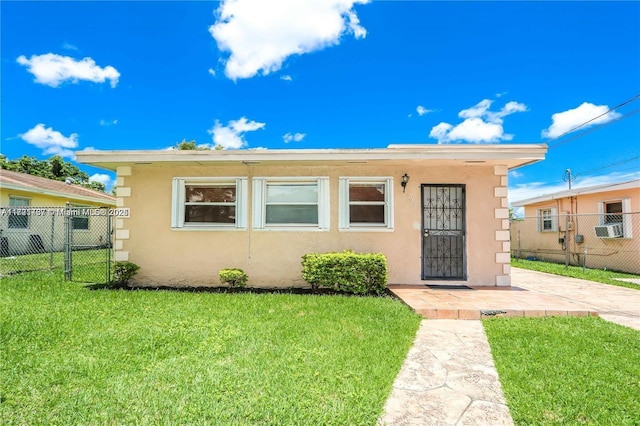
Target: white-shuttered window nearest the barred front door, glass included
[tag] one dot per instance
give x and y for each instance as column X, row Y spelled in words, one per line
column 366, row 203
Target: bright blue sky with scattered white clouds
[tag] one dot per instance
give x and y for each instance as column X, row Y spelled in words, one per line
column 288, row 74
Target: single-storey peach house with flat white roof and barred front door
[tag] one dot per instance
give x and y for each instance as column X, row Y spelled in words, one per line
column 437, row 212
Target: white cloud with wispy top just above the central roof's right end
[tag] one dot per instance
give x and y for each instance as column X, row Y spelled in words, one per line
column 480, row 125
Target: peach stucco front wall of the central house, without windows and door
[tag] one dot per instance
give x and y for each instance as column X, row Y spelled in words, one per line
column 273, row 258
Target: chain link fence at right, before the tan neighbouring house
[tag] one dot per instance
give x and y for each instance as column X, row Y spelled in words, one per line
column 598, row 241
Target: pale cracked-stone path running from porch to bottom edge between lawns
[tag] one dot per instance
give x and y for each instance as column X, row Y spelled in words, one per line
column 448, row 378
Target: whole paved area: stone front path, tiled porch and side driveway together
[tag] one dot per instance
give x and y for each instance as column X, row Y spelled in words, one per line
column 449, row 377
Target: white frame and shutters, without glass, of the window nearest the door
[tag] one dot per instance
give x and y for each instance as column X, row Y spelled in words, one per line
column 344, row 212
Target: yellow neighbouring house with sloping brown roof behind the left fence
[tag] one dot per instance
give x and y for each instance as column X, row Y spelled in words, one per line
column 32, row 218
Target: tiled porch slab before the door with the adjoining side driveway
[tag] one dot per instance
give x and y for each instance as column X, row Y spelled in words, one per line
column 532, row 294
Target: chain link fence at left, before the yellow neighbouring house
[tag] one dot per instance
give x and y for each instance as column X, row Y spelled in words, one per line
column 74, row 241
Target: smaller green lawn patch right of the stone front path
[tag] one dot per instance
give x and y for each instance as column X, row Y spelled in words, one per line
column 567, row 370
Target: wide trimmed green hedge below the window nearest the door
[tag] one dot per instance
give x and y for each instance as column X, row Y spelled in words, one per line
column 358, row 273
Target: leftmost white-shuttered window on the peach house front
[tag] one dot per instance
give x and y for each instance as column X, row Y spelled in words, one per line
column 209, row 203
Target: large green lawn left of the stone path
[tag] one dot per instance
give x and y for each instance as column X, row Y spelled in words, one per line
column 76, row 356
